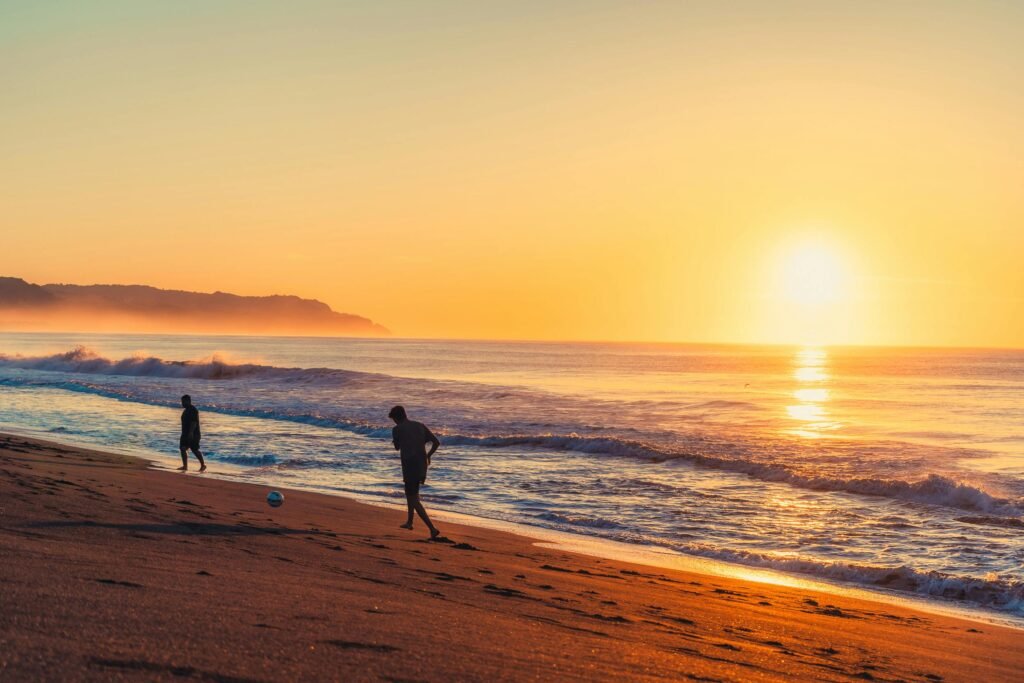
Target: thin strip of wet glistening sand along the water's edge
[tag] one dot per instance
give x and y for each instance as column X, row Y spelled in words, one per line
column 599, row 547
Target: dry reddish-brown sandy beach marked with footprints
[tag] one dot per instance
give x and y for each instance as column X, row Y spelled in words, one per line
column 115, row 571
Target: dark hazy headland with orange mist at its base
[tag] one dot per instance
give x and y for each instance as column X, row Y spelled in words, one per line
column 138, row 308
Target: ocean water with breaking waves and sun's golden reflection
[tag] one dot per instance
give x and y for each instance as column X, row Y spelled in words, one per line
column 892, row 469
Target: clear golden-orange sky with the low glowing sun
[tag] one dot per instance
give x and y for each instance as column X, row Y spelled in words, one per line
column 574, row 170
